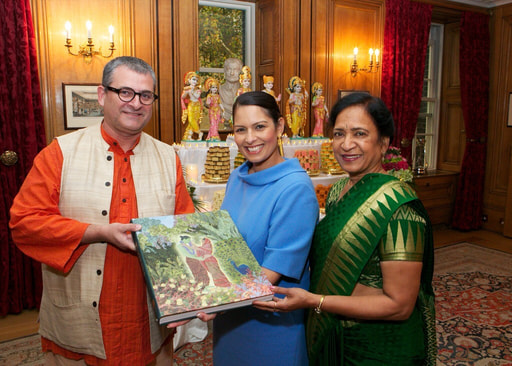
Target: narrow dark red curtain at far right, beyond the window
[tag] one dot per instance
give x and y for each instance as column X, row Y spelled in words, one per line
column 474, row 90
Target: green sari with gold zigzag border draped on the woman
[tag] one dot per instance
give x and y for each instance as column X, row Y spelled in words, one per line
column 343, row 243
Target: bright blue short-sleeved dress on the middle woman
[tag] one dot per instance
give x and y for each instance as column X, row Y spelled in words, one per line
column 276, row 211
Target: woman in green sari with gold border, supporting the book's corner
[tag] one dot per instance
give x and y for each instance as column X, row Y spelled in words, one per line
column 371, row 300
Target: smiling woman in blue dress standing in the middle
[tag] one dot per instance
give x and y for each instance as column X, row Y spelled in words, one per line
column 273, row 203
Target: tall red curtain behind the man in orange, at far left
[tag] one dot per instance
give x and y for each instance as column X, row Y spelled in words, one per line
column 21, row 131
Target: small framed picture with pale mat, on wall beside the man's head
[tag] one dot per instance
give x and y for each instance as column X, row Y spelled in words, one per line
column 81, row 106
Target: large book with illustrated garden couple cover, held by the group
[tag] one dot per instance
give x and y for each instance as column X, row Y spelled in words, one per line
column 198, row 262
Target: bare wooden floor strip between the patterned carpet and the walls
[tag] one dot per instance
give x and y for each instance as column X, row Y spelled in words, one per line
column 14, row 326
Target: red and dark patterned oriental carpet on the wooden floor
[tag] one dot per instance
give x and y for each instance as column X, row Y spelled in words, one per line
column 473, row 288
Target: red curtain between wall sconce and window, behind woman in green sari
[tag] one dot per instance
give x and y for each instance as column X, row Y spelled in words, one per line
column 406, row 35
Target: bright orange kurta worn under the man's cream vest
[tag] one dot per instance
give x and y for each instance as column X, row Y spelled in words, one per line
column 122, row 308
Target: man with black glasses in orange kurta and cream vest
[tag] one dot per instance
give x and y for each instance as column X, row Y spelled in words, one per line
column 73, row 214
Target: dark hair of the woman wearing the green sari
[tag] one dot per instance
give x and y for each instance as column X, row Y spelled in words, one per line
column 375, row 108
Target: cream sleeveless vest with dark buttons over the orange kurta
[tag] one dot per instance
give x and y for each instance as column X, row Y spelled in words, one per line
column 69, row 306
